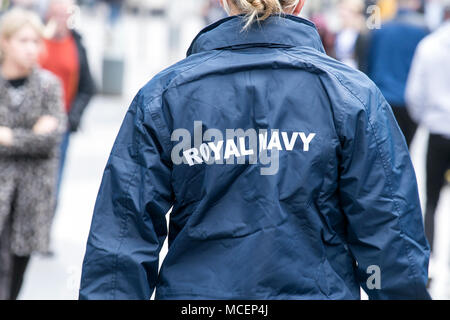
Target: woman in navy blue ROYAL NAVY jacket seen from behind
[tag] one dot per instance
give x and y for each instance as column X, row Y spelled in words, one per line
column 286, row 172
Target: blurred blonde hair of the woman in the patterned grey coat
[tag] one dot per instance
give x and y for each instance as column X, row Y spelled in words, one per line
column 14, row 20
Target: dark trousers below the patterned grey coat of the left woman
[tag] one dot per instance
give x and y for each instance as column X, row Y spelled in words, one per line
column 12, row 267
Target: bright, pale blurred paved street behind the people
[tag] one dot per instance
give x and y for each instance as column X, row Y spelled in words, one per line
column 147, row 52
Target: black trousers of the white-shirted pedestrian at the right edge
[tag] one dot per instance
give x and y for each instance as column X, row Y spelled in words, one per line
column 438, row 161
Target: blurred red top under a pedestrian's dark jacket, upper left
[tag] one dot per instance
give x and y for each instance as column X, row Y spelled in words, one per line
column 61, row 58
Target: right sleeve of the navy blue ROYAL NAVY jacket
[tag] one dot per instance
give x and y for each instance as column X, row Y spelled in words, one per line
column 379, row 197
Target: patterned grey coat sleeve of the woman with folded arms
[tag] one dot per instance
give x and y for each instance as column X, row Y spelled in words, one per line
column 28, row 143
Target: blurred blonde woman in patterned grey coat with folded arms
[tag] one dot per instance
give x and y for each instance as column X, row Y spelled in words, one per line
column 31, row 125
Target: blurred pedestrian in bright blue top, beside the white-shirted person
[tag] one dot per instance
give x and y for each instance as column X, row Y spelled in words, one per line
column 391, row 51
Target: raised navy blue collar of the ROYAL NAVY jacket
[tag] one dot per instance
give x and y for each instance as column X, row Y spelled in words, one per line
column 279, row 30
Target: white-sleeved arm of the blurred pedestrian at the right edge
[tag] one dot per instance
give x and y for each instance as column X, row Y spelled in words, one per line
column 417, row 85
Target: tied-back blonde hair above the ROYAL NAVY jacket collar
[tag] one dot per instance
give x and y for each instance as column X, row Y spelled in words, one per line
column 259, row 10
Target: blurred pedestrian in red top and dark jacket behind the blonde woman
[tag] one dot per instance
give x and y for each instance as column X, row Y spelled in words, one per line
column 65, row 55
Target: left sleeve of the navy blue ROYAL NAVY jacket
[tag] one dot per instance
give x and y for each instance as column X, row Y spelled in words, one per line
column 129, row 223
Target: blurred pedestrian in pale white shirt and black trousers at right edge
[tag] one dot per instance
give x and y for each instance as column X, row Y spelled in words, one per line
column 428, row 97
